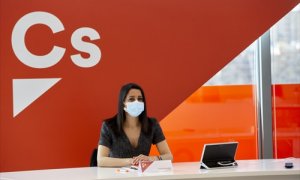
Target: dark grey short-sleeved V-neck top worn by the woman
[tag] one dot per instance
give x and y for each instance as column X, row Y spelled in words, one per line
column 120, row 146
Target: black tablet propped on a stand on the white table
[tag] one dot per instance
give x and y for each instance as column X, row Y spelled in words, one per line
column 219, row 155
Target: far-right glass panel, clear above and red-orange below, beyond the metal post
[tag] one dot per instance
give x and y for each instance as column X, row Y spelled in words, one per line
column 285, row 46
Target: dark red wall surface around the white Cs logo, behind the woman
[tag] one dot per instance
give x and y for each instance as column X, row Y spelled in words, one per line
column 169, row 47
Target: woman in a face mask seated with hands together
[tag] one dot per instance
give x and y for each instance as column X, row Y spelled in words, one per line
column 127, row 137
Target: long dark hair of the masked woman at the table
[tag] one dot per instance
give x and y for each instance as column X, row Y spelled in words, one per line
column 143, row 118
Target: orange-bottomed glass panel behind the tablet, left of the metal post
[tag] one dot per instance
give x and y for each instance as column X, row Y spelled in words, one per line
column 222, row 110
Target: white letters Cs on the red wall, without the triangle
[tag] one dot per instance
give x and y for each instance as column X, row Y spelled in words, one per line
column 56, row 54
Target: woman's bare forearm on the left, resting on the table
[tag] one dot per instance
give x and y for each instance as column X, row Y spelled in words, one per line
column 105, row 161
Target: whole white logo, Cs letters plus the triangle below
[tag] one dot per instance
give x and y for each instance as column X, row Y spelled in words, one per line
column 25, row 91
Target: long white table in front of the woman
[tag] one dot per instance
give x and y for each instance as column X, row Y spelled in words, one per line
column 268, row 169
